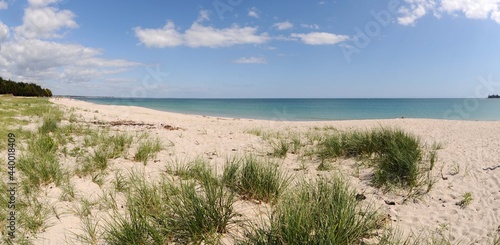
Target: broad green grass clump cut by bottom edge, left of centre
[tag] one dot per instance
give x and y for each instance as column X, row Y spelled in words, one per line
column 183, row 211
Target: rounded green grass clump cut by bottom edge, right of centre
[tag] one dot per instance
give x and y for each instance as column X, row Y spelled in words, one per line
column 320, row 212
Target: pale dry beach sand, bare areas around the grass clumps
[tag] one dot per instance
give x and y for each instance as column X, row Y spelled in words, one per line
column 469, row 147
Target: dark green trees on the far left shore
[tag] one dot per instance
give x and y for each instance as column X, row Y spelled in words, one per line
column 23, row 89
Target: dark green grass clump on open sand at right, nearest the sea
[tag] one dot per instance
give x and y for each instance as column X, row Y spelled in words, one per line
column 396, row 155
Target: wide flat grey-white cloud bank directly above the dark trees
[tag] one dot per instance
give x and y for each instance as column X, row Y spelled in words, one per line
column 36, row 60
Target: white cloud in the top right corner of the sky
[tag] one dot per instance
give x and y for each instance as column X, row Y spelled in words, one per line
column 478, row 9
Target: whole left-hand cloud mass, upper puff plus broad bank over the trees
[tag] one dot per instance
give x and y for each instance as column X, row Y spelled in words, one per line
column 27, row 57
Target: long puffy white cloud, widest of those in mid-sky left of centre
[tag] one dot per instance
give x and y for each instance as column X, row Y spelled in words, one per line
column 199, row 36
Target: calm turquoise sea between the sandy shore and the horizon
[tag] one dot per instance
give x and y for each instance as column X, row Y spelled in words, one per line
column 321, row 109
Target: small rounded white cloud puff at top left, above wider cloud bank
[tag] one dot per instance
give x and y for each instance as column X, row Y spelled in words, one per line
column 41, row 21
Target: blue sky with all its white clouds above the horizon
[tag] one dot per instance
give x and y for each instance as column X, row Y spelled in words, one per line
column 254, row 49
